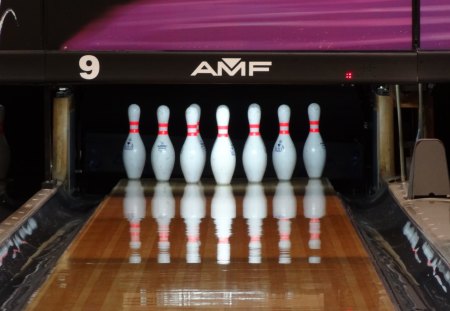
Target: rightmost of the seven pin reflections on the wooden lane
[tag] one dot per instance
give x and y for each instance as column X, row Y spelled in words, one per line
column 314, row 205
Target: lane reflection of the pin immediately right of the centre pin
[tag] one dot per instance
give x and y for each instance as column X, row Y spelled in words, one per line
column 255, row 210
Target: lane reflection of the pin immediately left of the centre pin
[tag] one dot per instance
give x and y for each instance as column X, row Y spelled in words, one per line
column 193, row 205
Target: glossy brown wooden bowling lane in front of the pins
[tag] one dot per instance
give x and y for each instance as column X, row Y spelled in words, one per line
column 96, row 273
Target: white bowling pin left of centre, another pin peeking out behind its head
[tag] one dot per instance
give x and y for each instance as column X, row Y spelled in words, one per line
column 192, row 156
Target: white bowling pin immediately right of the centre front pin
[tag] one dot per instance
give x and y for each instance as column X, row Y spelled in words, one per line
column 254, row 157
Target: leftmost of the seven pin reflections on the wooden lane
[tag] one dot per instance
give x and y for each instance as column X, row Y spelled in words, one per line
column 134, row 211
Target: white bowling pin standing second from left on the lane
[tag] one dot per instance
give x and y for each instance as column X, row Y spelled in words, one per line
column 163, row 153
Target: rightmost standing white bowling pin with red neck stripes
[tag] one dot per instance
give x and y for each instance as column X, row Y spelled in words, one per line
column 314, row 152
